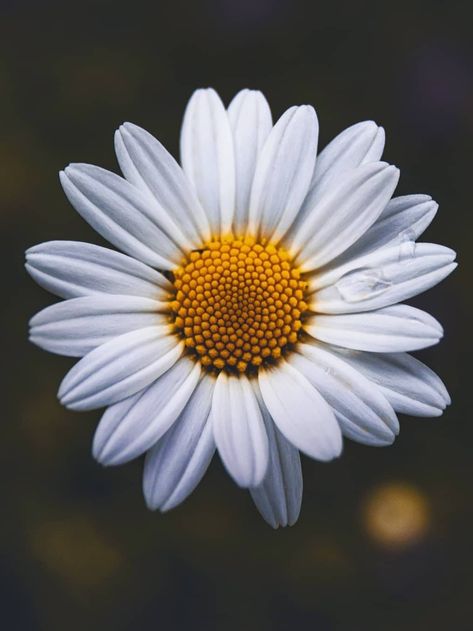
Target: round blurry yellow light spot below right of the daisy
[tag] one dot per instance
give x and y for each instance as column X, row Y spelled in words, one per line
column 396, row 515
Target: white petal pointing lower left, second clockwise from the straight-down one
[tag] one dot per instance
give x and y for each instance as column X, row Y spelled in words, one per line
column 131, row 427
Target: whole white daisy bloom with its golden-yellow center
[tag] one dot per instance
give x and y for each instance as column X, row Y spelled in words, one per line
column 255, row 308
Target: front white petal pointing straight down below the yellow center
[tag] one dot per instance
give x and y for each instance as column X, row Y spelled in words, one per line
column 239, row 430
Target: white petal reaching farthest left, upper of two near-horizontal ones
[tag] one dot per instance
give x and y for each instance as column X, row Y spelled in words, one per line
column 70, row 269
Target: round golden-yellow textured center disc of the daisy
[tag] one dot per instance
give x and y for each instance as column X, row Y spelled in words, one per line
column 238, row 304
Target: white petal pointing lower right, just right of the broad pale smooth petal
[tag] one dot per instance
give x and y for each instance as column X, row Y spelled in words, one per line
column 356, row 403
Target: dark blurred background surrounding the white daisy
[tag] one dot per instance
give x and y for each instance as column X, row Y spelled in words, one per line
column 384, row 537
